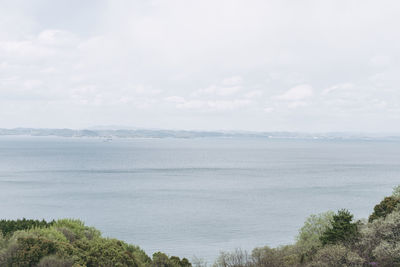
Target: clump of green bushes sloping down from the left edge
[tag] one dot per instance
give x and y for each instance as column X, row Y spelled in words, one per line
column 69, row 243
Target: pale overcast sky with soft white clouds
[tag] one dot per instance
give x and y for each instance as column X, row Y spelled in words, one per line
column 255, row 65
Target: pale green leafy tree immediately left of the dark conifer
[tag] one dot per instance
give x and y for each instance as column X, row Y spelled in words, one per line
column 309, row 235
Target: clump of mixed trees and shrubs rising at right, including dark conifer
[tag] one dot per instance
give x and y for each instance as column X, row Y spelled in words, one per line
column 334, row 239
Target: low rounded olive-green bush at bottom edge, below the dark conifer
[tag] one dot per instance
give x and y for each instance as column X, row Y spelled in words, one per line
column 335, row 256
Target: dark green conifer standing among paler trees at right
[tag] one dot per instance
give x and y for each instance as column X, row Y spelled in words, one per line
column 343, row 230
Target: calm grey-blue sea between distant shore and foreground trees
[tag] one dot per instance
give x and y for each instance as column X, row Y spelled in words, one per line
column 191, row 197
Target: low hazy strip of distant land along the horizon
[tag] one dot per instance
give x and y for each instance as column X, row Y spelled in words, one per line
column 104, row 132
